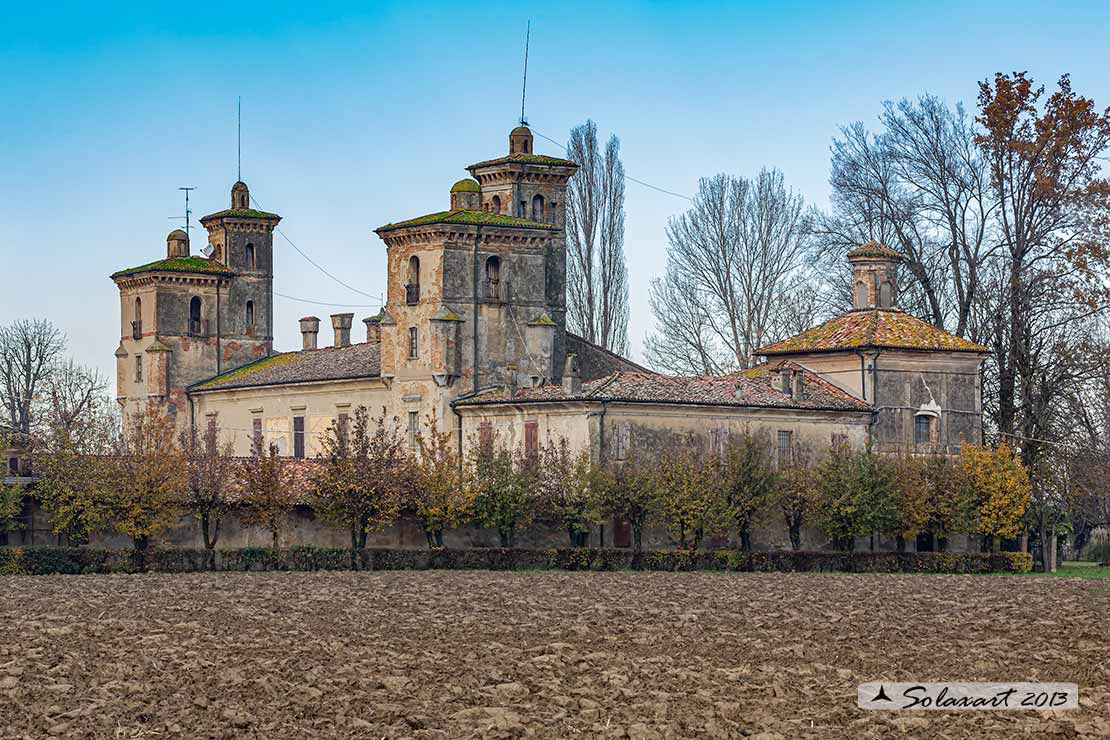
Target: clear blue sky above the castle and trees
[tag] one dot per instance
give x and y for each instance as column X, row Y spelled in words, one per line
column 358, row 115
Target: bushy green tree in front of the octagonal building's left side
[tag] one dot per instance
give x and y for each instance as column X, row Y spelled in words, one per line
column 857, row 495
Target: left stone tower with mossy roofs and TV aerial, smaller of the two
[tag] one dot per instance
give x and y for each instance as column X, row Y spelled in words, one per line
column 187, row 318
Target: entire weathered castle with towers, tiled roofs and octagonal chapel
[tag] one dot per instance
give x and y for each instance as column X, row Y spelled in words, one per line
column 473, row 337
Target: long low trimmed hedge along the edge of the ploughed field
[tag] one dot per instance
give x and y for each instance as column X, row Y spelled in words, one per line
column 46, row 561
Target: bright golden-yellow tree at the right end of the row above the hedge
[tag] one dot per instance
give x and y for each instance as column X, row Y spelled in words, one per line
column 1001, row 485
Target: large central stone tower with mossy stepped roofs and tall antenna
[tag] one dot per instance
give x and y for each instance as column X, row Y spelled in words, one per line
column 478, row 295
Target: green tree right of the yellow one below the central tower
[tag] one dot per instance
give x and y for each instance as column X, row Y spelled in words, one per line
column 507, row 485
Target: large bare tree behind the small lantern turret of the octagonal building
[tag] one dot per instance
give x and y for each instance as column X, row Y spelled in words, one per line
column 923, row 187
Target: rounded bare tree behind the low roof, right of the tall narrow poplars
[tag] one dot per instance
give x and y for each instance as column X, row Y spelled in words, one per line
column 734, row 261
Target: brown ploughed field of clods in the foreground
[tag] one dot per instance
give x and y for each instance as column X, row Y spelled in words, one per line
column 549, row 655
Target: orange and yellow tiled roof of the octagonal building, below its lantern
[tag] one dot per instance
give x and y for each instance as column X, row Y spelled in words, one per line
column 873, row 328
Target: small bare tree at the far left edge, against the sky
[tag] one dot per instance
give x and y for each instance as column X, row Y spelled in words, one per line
column 29, row 350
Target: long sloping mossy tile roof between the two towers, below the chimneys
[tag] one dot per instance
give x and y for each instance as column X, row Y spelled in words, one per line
column 356, row 361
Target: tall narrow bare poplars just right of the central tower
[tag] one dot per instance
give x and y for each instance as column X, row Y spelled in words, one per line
column 598, row 276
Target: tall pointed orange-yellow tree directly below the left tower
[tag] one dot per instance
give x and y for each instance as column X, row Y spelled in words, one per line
column 149, row 475
